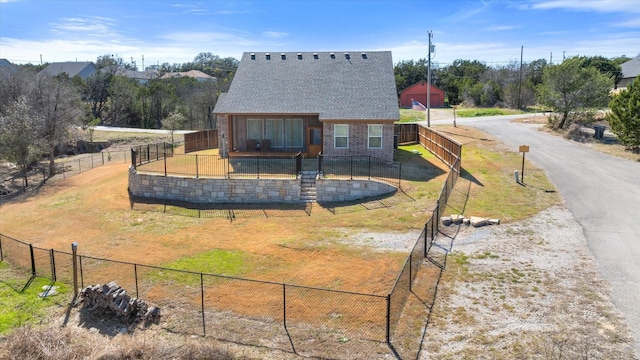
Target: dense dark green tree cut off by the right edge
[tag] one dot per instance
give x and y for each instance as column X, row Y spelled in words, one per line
column 625, row 115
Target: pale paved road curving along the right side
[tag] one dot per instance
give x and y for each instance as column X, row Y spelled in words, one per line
column 602, row 192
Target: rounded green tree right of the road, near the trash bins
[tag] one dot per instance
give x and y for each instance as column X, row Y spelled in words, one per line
column 569, row 86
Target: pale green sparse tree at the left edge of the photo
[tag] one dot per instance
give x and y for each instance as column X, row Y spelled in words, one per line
column 19, row 139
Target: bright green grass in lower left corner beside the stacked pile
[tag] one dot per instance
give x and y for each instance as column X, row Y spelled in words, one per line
column 25, row 307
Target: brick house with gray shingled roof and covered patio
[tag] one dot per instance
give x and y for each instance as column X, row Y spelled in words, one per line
column 337, row 103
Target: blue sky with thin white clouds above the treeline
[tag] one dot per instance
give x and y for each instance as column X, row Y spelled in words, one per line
column 176, row 31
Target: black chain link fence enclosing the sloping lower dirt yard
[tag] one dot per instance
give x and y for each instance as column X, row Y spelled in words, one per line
column 306, row 320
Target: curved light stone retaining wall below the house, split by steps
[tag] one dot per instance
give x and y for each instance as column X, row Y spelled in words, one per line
column 206, row 190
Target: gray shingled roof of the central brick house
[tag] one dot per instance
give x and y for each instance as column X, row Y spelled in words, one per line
column 360, row 86
